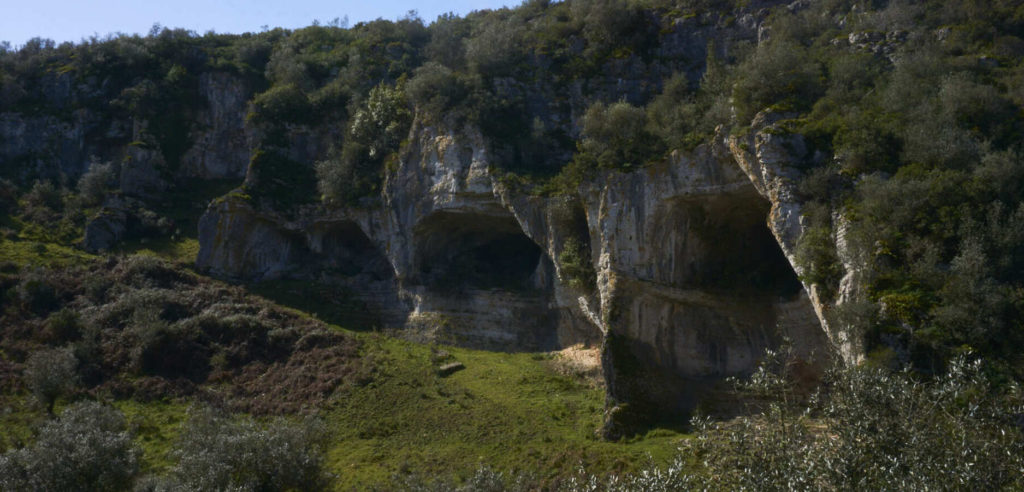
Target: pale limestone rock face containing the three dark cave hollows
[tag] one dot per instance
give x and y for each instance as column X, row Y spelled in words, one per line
column 690, row 283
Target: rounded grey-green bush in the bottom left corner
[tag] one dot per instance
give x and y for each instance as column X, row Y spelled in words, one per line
column 88, row 449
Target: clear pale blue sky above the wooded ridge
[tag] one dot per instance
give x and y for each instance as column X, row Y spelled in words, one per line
column 75, row 20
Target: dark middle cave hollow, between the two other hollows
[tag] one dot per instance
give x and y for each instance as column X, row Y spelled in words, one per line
column 458, row 252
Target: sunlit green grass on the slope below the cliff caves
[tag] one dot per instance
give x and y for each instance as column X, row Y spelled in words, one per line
column 510, row 412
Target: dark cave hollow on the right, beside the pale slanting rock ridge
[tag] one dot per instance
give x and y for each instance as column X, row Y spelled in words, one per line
column 732, row 251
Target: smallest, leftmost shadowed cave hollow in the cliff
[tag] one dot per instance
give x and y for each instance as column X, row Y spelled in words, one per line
column 343, row 249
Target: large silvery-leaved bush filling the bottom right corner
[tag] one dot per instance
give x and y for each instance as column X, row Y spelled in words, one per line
column 870, row 430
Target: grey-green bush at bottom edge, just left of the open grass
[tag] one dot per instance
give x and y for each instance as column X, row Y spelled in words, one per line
column 218, row 454
